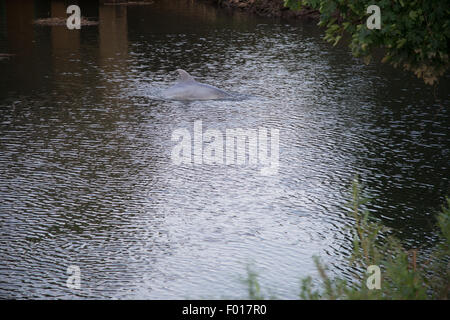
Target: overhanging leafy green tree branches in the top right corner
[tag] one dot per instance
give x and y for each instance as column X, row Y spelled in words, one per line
column 415, row 34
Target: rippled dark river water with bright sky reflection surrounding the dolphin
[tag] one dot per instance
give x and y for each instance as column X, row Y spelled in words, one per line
column 85, row 152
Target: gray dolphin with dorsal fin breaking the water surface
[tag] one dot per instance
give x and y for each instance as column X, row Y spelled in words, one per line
column 187, row 88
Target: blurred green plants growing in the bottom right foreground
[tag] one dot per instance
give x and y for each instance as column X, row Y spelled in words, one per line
column 404, row 274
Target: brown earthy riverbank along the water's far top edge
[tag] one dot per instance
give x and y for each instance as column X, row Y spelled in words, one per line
column 268, row 8
